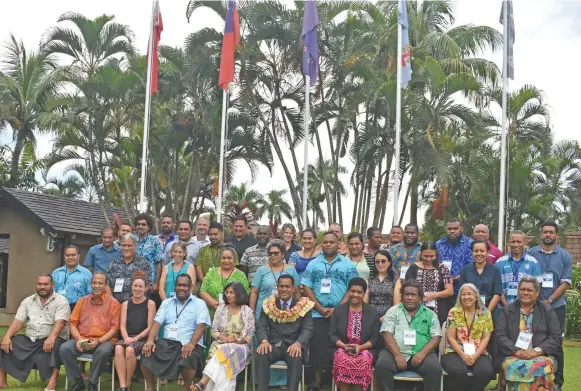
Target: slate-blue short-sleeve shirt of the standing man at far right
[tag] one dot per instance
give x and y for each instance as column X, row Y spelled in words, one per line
column 559, row 264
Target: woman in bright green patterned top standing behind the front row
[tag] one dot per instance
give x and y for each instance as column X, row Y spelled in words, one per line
column 217, row 278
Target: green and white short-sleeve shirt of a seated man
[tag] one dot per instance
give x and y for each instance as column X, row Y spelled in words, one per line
column 425, row 323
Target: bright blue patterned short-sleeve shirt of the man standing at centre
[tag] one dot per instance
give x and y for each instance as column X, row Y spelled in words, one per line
column 340, row 272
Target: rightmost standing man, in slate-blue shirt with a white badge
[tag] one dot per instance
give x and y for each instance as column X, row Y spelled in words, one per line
column 557, row 275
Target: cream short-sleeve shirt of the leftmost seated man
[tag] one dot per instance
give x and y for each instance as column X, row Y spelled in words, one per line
column 40, row 319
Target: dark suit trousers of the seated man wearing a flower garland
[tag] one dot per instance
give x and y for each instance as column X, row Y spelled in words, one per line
column 262, row 364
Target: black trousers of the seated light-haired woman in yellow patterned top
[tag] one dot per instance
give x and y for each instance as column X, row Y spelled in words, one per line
column 458, row 372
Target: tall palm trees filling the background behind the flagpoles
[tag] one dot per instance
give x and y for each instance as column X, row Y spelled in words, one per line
column 450, row 122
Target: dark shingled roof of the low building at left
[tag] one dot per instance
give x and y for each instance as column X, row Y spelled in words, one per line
column 61, row 213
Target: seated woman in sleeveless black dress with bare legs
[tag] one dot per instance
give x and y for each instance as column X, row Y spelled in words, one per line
column 137, row 315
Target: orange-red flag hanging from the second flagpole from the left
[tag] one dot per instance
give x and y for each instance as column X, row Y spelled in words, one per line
column 229, row 44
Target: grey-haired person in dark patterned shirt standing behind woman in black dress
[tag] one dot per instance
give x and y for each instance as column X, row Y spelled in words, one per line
column 121, row 270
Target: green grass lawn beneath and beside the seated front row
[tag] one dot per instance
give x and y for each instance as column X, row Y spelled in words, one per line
column 572, row 374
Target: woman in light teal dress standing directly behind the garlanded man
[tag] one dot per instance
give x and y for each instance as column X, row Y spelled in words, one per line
column 264, row 285
